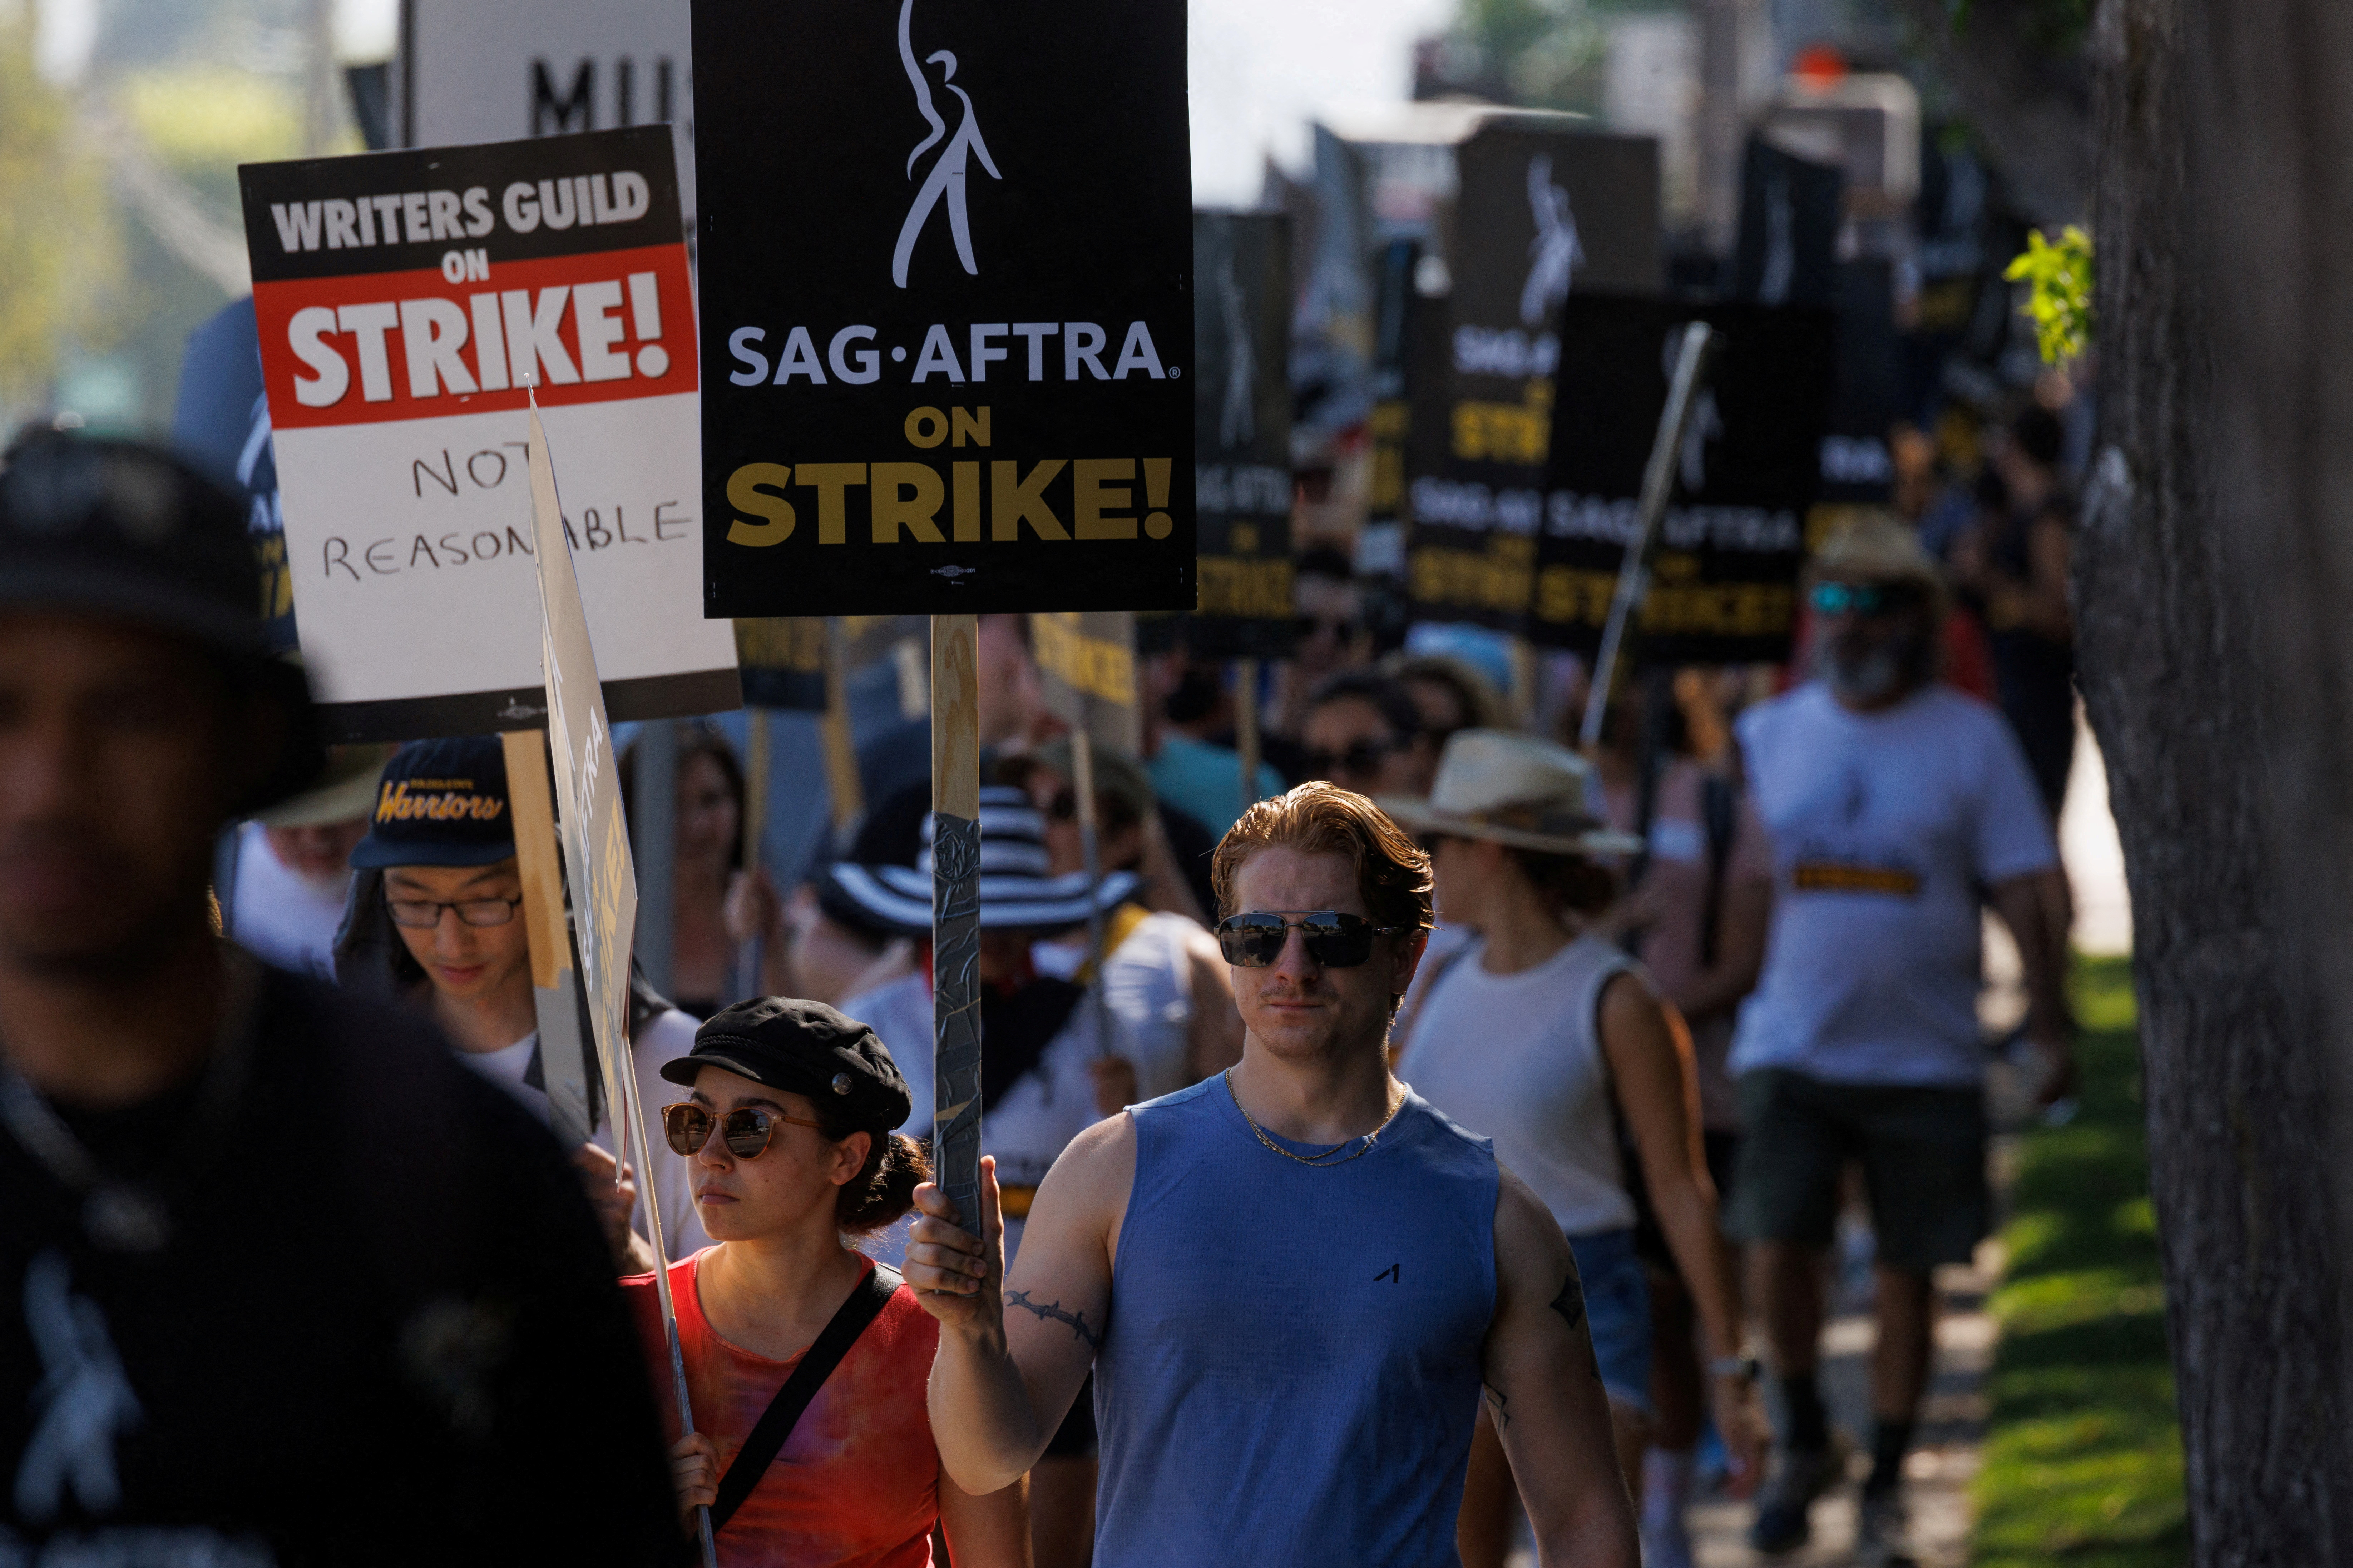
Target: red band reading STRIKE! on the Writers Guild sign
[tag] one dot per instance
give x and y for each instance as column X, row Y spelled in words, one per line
column 467, row 337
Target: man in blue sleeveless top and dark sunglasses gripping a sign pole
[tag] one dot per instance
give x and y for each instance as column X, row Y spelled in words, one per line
column 1295, row 1280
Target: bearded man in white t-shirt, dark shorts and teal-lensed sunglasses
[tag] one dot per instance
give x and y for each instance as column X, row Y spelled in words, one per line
column 1898, row 810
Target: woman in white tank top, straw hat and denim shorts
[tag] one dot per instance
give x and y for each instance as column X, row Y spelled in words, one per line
column 1542, row 1036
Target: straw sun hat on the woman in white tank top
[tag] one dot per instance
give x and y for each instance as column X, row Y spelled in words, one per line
column 1514, row 791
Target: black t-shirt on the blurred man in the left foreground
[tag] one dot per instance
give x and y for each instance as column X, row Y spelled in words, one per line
column 385, row 1327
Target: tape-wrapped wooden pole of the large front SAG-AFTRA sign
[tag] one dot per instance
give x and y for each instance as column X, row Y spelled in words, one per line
column 956, row 916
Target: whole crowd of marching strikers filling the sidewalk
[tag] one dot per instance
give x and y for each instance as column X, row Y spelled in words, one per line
column 1437, row 1139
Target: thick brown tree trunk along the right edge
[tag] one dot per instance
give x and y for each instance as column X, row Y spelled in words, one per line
column 2215, row 657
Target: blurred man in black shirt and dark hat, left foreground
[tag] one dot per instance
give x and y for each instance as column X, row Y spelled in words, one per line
column 279, row 1282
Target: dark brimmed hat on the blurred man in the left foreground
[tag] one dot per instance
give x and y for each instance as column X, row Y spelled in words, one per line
column 133, row 532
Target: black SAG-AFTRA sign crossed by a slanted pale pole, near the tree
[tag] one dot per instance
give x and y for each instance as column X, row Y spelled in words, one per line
column 1733, row 540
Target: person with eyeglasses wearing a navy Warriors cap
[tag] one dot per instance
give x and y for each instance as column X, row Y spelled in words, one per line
column 439, row 862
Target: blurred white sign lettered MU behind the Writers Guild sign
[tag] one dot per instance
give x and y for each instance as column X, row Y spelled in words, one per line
column 476, row 72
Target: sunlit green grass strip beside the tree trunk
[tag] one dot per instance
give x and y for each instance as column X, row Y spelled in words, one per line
column 2084, row 1463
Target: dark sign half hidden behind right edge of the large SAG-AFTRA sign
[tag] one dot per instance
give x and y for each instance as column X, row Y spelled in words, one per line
column 1244, row 431
